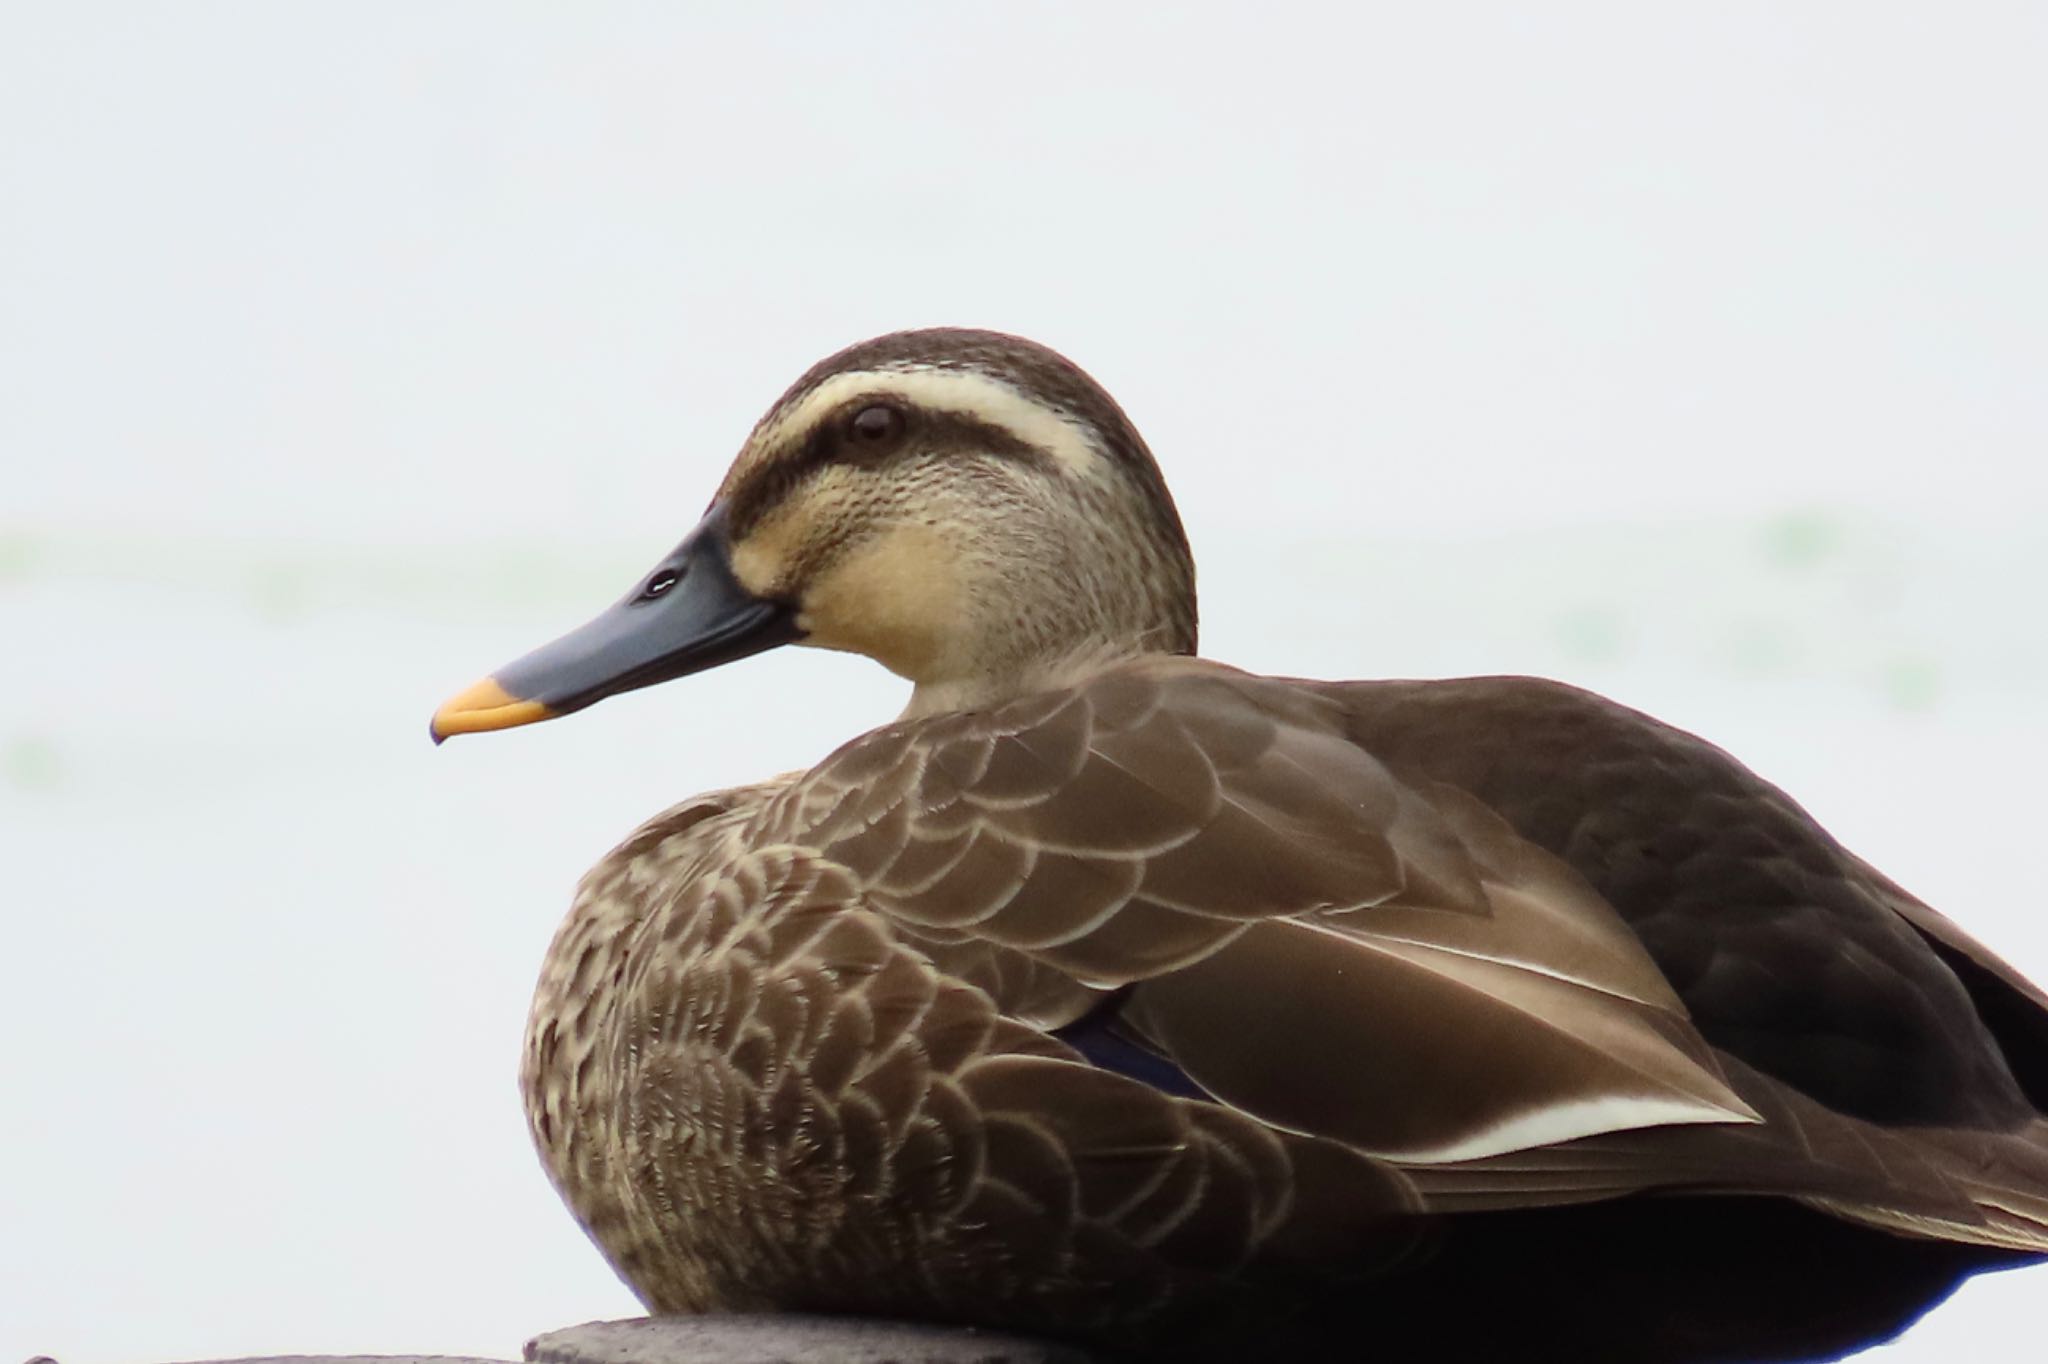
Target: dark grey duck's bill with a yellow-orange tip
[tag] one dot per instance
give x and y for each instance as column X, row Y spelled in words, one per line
column 687, row 615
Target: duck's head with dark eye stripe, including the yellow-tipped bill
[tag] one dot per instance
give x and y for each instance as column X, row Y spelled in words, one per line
column 968, row 509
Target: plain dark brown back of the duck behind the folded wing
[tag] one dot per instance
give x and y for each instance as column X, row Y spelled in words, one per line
column 1789, row 951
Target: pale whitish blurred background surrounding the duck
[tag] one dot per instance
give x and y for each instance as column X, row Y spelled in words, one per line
column 1691, row 353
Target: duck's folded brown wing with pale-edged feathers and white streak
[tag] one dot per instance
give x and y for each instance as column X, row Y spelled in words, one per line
column 1342, row 955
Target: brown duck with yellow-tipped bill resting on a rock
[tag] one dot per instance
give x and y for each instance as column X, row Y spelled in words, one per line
column 1127, row 998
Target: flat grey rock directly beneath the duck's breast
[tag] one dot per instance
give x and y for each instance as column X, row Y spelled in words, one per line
column 792, row 1340
